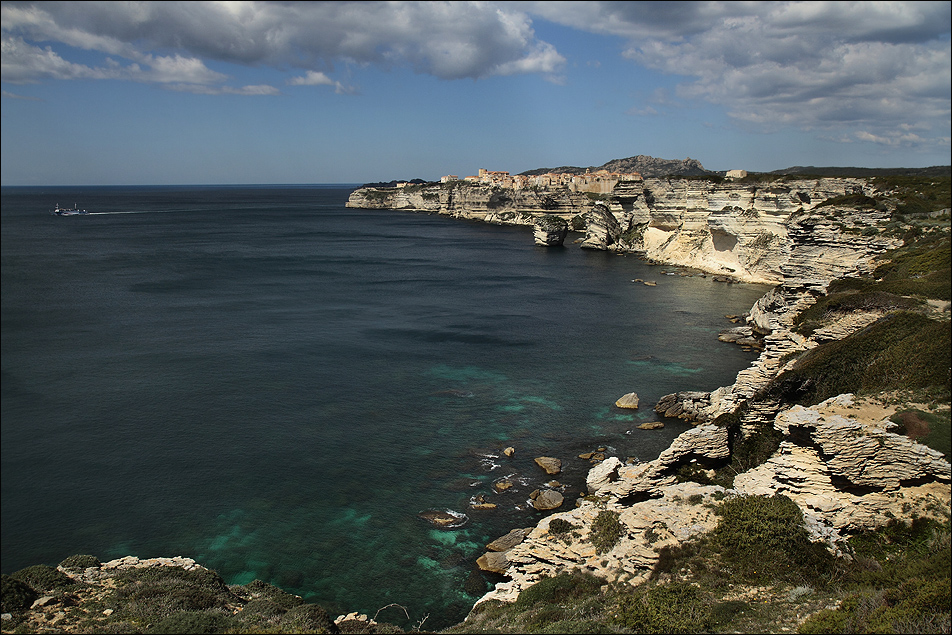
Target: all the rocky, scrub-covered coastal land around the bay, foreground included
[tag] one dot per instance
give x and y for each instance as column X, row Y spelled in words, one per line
column 830, row 434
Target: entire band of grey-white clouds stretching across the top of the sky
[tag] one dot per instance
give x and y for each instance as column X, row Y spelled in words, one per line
column 874, row 72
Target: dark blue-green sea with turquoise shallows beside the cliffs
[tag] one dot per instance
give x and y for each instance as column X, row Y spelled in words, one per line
column 279, row 387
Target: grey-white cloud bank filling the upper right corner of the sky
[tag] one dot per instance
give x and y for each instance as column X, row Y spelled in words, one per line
column 880, row 69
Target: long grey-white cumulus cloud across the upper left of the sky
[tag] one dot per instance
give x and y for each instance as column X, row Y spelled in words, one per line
column 171, row 42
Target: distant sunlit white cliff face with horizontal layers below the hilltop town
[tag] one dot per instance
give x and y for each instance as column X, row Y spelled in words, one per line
column 766, row 232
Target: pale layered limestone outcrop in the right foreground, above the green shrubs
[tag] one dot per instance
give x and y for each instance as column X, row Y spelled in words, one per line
column 845, row 474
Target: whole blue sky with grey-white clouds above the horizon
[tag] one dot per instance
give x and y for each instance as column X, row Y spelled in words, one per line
column 127, row 93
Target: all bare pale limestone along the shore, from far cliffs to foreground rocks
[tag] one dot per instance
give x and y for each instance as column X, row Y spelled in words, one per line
column 842, row 461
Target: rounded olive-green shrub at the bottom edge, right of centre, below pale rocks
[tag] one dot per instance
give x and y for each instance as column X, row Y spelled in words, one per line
column 672, row 608
